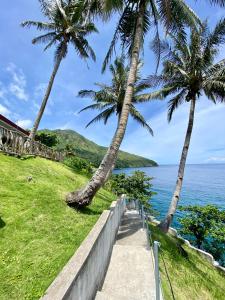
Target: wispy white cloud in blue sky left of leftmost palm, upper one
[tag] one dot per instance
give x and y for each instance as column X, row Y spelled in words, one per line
column 18, row 85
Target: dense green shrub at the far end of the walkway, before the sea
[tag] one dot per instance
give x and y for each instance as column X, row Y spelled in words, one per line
column 136, row 186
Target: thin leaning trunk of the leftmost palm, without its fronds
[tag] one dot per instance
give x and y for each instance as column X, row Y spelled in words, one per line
column 45, row 100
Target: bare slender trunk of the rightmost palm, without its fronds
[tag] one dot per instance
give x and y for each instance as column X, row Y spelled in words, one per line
column 165, row 224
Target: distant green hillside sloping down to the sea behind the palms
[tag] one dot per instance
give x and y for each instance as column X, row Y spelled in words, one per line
column 94, row 153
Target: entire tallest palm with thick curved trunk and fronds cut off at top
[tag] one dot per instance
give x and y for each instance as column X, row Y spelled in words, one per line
column 136, row 16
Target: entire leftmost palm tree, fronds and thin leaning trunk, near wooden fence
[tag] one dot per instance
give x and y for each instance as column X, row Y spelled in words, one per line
column 65, row 26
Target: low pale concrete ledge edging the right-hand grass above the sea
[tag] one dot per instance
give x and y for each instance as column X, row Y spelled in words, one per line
column 203, row 253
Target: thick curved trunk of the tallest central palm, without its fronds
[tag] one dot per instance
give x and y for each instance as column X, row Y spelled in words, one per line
column 85, row 196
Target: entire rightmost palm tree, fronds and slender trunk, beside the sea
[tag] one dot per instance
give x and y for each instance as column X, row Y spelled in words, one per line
column 188, row 73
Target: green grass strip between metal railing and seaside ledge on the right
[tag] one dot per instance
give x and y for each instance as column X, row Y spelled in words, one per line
column 192, row 277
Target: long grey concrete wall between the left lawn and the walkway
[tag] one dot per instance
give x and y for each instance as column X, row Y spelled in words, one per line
column 84, row 273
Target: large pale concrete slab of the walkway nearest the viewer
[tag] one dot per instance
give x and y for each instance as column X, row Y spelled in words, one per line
column 130, row 273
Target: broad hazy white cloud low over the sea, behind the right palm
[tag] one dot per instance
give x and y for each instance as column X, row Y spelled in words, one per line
column 166, row 145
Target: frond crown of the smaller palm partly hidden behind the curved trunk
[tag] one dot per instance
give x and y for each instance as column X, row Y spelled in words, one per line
column 109, row 99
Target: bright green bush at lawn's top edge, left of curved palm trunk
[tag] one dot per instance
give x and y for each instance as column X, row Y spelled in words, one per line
column 79, row 165
